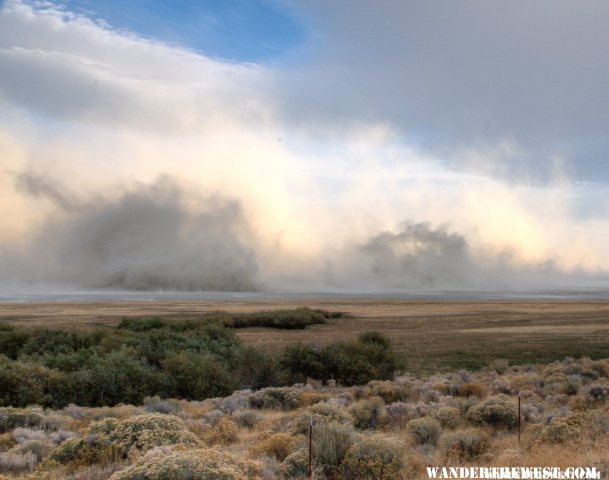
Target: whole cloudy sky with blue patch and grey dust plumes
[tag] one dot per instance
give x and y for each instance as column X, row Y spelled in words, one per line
column 304, row 145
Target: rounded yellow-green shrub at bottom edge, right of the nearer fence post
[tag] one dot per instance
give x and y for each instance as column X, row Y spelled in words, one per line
column 373, row 457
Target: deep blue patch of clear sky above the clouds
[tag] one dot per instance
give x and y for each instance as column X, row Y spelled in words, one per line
column 236, row 30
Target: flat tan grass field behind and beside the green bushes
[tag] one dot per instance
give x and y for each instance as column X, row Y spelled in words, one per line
column 432, row 336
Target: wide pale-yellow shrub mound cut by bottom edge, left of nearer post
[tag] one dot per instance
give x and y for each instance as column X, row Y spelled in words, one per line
column 197, row 464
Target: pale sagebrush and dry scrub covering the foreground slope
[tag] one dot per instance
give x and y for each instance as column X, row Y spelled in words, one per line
column 381, row 430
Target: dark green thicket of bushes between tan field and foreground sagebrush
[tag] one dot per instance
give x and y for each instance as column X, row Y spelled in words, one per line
column 154, row 359
